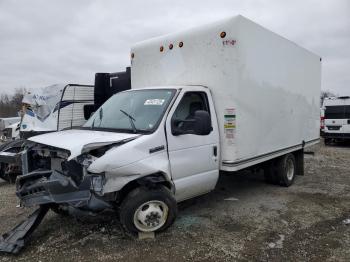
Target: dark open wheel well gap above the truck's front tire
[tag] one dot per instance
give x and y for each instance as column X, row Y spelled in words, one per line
column 149, row 181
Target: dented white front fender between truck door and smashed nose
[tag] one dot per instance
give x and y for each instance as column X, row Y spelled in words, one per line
column 138, row 158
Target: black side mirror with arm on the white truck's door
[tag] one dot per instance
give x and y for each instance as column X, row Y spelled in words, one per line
column 200, row 124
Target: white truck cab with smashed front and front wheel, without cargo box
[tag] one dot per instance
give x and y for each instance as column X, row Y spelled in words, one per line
column 166, row 136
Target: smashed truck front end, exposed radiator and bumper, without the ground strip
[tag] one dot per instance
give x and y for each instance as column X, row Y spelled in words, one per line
column 49, row 177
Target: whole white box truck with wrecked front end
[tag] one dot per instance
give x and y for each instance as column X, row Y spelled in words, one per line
column 225, row 96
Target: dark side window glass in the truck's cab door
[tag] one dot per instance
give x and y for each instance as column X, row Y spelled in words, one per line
column 183, row 117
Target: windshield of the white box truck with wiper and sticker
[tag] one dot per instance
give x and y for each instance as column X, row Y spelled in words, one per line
column 132, row 111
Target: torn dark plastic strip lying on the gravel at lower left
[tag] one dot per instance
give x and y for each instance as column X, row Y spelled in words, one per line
column 16, row 239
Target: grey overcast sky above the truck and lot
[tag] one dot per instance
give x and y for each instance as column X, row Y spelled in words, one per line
column 43, row 42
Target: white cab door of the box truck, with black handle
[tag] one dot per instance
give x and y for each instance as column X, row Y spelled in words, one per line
column 194, row 159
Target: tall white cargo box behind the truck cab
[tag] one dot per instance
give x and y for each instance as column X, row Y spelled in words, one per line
column 266, row 89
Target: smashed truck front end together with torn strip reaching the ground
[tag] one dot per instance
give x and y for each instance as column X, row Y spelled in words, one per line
column 51, row 180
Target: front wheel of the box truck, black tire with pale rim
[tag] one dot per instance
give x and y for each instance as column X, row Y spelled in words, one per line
column 148, row 210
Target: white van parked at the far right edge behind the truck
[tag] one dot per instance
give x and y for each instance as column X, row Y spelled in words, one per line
column 336, row 118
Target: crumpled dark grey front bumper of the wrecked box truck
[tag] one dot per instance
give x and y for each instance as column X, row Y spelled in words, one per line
column 49, row 186
